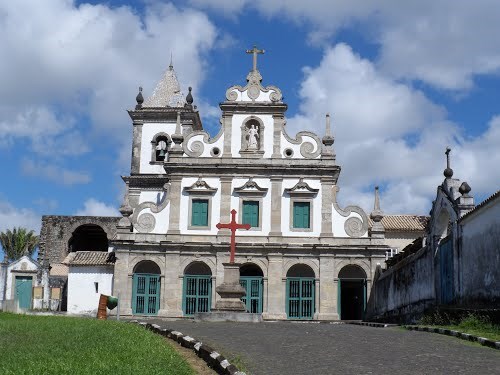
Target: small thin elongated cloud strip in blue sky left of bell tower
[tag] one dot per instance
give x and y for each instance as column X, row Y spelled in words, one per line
column 54, row 173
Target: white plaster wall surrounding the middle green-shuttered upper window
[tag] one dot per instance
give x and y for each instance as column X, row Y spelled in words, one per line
column 265, row 207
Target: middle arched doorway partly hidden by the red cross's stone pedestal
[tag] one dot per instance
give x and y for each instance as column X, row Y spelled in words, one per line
column 251, row 278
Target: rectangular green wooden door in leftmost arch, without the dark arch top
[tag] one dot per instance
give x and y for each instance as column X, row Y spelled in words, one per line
column 146, row 294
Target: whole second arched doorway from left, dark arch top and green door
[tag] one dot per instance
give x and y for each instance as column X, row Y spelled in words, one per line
column 197, row 289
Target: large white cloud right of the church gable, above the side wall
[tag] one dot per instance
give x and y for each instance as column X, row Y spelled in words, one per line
column 390, row 134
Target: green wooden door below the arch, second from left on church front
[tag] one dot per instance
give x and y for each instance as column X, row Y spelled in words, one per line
column 197, row 294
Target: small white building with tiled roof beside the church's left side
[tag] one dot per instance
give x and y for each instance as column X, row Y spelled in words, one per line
column 90, row 274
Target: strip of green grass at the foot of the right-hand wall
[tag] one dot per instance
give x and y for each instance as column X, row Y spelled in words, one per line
column 473, row 324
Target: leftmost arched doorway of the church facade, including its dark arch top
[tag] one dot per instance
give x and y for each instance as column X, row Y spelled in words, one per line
column 146, row 288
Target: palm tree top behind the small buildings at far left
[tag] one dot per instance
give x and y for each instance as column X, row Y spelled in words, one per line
column 18, row 242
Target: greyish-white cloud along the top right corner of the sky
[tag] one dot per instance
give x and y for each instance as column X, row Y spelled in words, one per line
column 441, row 42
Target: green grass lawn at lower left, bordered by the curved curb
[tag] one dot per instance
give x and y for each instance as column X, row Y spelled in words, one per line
column 62, row 345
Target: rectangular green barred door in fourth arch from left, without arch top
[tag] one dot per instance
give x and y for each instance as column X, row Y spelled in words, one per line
column 300, row 297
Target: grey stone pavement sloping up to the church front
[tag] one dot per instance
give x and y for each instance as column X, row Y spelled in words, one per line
column 278, row 348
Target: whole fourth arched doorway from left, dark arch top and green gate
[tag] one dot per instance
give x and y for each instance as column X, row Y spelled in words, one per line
column 300, row 292
